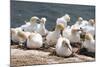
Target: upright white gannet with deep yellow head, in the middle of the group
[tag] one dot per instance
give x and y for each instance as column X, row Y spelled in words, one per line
column 52, row 37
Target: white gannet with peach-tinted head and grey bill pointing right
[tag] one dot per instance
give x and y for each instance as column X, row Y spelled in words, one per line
column 73, row 34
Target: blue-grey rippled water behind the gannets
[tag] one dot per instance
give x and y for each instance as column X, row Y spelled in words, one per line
column 22, row 11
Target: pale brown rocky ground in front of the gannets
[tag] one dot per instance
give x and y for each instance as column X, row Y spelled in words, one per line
column 27, row 57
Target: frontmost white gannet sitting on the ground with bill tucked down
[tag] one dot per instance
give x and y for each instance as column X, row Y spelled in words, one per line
column 63, row 47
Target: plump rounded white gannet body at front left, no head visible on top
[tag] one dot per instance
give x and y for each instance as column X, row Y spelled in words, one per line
column 34, row 40
